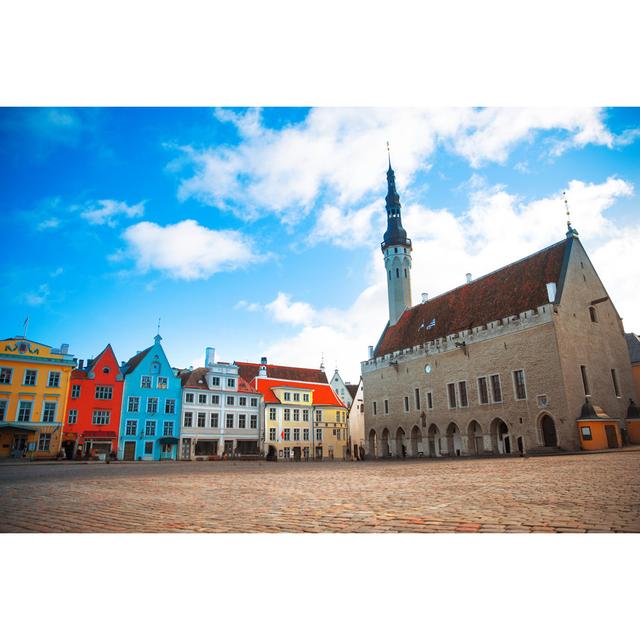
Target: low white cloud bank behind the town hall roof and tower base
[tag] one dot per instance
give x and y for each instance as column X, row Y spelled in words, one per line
column 497, row 228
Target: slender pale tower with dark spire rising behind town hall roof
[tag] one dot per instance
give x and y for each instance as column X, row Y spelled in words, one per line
column 396, row 248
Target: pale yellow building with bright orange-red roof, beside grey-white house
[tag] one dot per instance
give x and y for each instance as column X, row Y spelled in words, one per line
column 303, row 420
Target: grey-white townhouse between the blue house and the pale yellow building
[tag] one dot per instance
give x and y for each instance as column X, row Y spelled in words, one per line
column 221, row 413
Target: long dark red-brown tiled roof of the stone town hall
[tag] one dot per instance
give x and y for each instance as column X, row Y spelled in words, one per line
column 506, row 292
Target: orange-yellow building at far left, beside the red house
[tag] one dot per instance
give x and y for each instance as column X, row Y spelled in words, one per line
column 34, row 385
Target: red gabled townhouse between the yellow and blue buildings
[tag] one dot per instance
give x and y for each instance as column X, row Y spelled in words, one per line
column 93, row 408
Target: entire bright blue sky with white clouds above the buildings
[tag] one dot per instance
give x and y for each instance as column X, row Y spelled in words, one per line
column 257, row 231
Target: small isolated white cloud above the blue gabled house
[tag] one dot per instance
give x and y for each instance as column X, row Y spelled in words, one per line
column 187, row 250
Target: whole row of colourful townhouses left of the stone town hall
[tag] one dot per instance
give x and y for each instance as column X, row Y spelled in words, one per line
column 52, row 405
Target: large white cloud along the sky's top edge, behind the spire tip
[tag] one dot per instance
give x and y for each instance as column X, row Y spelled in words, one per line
column 336, row 155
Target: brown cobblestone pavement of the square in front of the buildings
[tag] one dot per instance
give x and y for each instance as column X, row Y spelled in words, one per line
column 599, row 492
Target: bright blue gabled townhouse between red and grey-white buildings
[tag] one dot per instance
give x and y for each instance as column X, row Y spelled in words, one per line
column 150, row 419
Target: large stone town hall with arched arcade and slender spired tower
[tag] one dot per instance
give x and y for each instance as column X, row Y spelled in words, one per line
column 501, row 364
